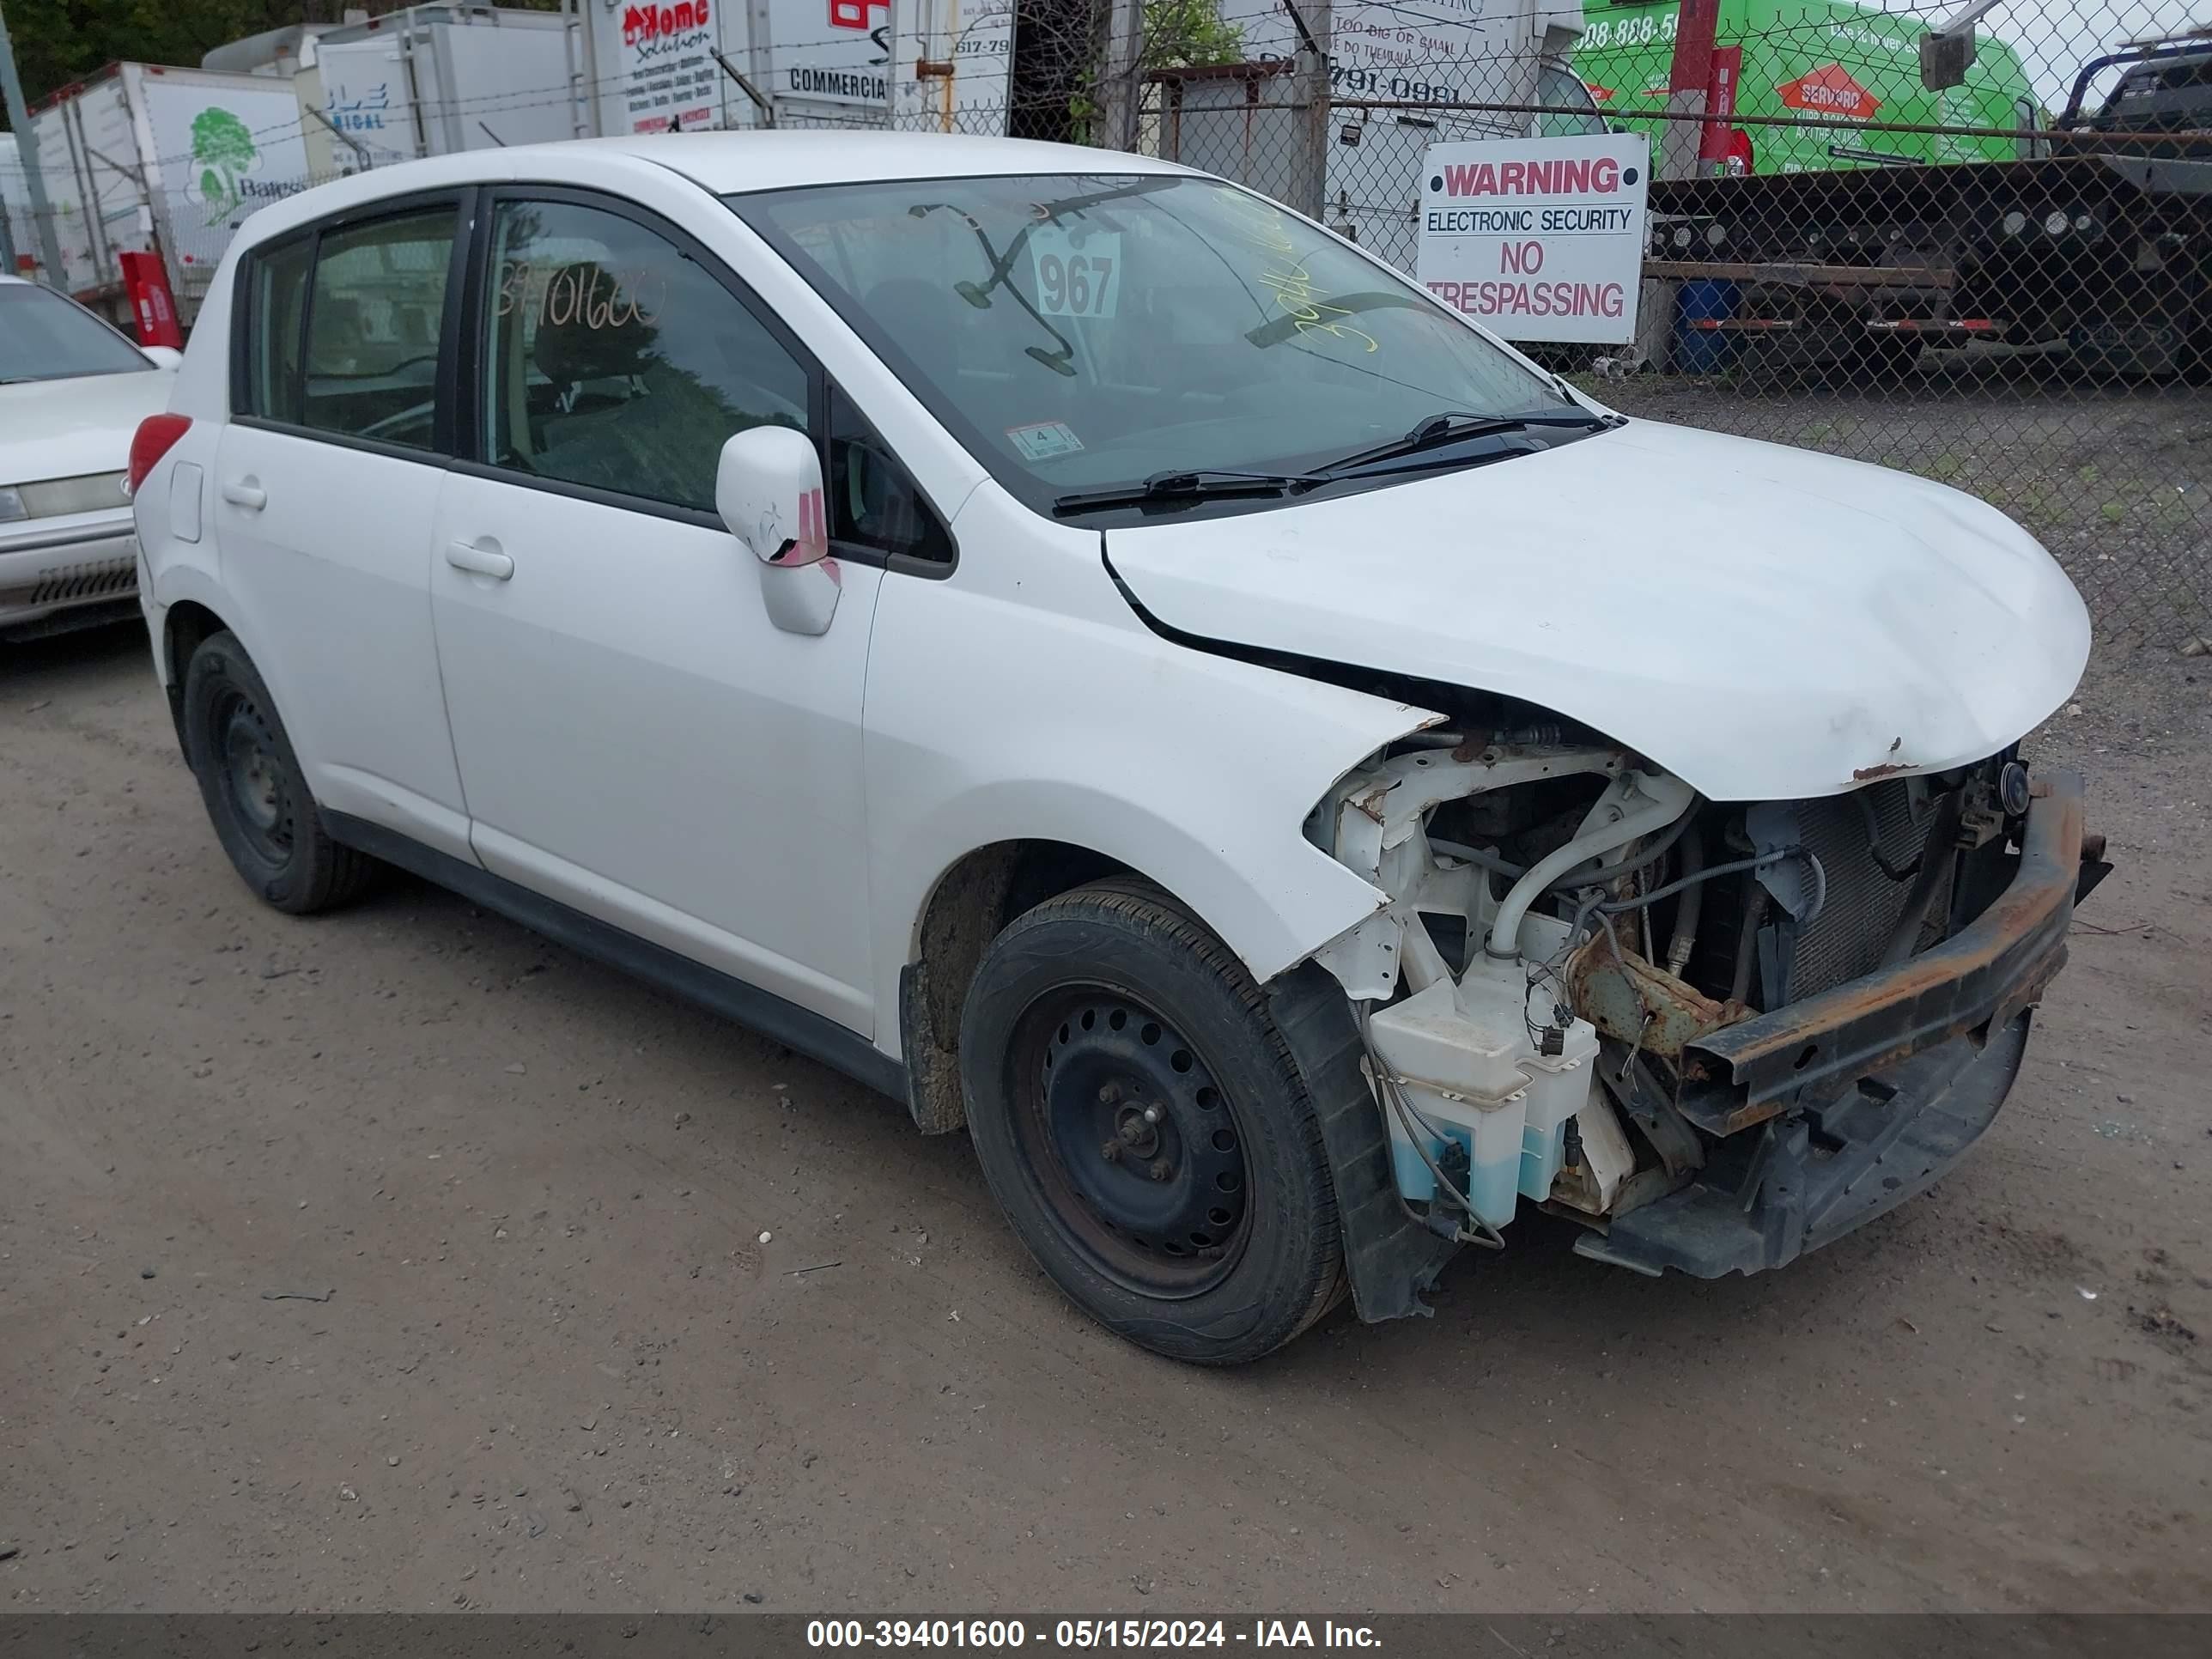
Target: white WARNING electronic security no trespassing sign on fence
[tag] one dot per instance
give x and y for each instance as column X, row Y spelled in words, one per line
column 1538, row 240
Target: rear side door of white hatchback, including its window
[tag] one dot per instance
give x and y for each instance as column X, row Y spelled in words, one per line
column 326, row 488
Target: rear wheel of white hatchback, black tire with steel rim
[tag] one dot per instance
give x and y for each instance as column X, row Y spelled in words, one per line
column 255, row 793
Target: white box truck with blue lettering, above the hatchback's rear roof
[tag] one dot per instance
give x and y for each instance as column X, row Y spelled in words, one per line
column 435, row 81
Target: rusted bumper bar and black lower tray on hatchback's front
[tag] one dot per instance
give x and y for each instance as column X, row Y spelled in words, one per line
column 1895, row 1074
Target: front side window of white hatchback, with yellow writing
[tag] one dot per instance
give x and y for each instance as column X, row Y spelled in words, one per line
column 618, row 362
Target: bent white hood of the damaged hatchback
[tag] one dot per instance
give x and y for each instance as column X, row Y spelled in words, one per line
column 1764, row 623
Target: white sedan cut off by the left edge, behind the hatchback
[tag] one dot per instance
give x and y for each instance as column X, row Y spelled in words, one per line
column 72, row 393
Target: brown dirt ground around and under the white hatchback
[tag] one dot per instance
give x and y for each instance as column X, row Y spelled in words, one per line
column 395, row 1260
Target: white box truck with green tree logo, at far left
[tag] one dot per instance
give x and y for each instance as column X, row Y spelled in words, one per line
column 143, row 158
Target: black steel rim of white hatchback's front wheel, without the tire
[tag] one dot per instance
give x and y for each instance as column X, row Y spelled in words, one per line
column 1134, row 1142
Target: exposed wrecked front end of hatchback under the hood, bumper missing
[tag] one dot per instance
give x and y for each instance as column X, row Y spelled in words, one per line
column 1715, row 1034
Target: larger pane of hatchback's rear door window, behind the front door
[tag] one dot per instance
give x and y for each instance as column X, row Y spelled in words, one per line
column 373, row 328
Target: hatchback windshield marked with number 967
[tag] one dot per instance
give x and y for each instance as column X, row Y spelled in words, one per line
column 1087, row 333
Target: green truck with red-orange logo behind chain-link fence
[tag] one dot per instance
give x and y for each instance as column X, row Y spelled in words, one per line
column 1822, row 61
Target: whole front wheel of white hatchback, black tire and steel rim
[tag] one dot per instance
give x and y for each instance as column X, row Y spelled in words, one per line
column 1089, row 1010
